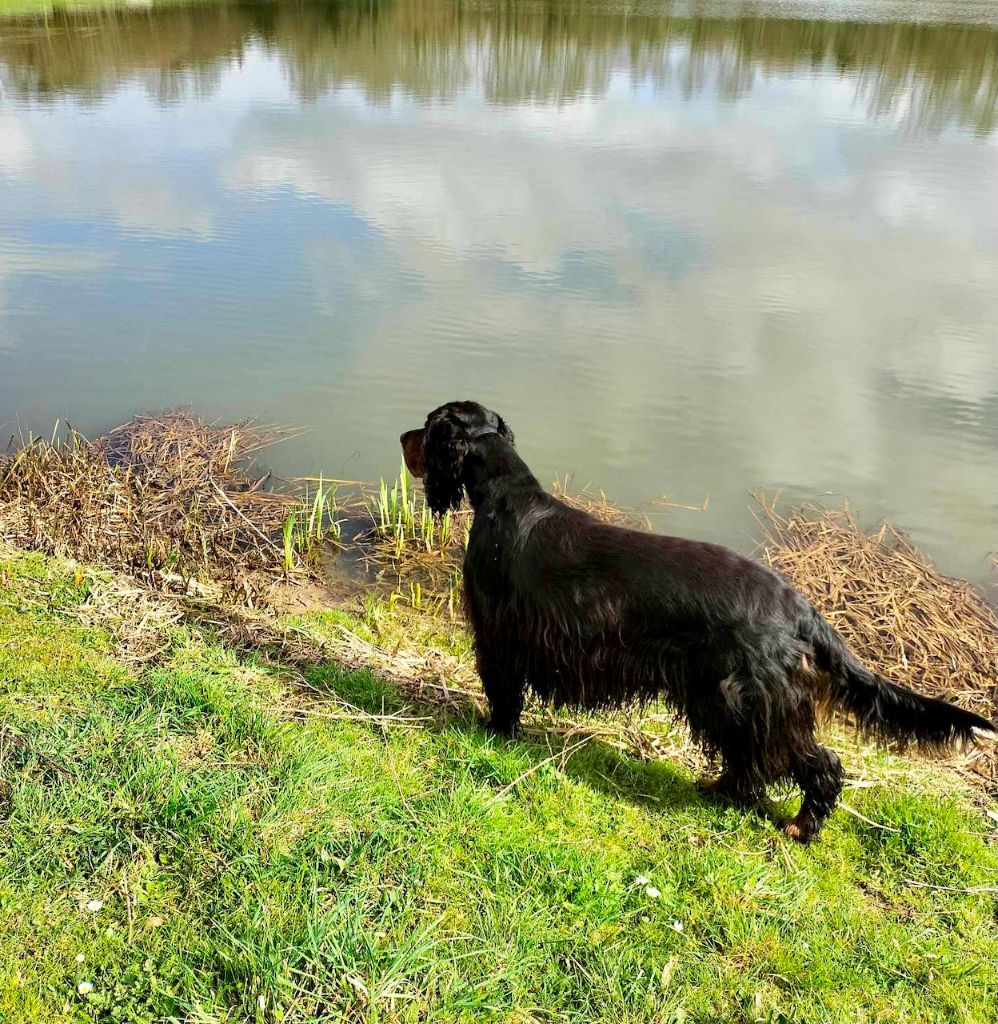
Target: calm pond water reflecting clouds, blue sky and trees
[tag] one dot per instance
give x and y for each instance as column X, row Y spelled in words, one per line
column 686, row 249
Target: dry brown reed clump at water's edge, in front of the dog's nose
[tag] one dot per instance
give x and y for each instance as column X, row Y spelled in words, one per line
column 170, row 499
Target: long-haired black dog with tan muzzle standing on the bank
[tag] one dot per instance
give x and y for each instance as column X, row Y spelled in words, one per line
column 593, row 616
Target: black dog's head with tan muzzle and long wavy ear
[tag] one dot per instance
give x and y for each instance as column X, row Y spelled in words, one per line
column 437, row 452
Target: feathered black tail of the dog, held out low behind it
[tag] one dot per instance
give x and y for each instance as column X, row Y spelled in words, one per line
column 886, row 711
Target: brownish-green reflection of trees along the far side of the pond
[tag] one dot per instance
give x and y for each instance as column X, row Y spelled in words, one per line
column 931, row 75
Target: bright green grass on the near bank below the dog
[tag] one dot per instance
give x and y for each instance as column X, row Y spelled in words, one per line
column 181, row 841
